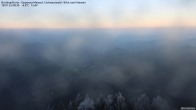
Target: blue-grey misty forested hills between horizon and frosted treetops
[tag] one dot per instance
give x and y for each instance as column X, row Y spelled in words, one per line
column 41, row 69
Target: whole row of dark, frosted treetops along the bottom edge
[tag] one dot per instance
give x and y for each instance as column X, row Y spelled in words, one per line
column 114, row 102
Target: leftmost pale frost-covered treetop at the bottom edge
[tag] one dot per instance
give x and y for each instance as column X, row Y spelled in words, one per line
column 86, row 104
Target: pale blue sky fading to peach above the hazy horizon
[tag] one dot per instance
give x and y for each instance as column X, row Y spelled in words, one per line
column 102, row 14
